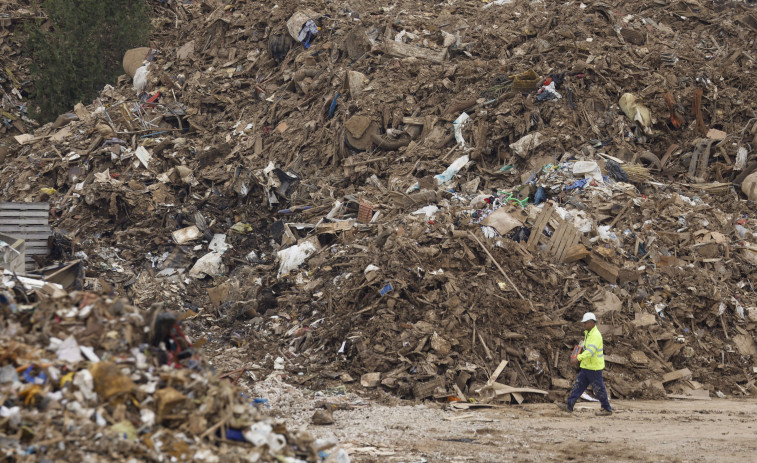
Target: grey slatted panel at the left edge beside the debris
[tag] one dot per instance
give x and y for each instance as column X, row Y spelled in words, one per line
column 28, row 221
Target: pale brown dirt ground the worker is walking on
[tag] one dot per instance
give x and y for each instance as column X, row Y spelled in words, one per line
column 377, row 430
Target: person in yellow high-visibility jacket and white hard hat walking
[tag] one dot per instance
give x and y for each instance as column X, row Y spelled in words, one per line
column 592, row 363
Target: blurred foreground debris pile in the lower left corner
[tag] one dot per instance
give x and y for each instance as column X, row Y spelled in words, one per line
column 87, row 376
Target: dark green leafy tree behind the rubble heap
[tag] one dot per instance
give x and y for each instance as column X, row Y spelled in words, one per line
column 79, row 49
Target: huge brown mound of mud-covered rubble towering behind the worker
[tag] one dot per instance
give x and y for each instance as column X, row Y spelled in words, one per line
column 409, row 195
